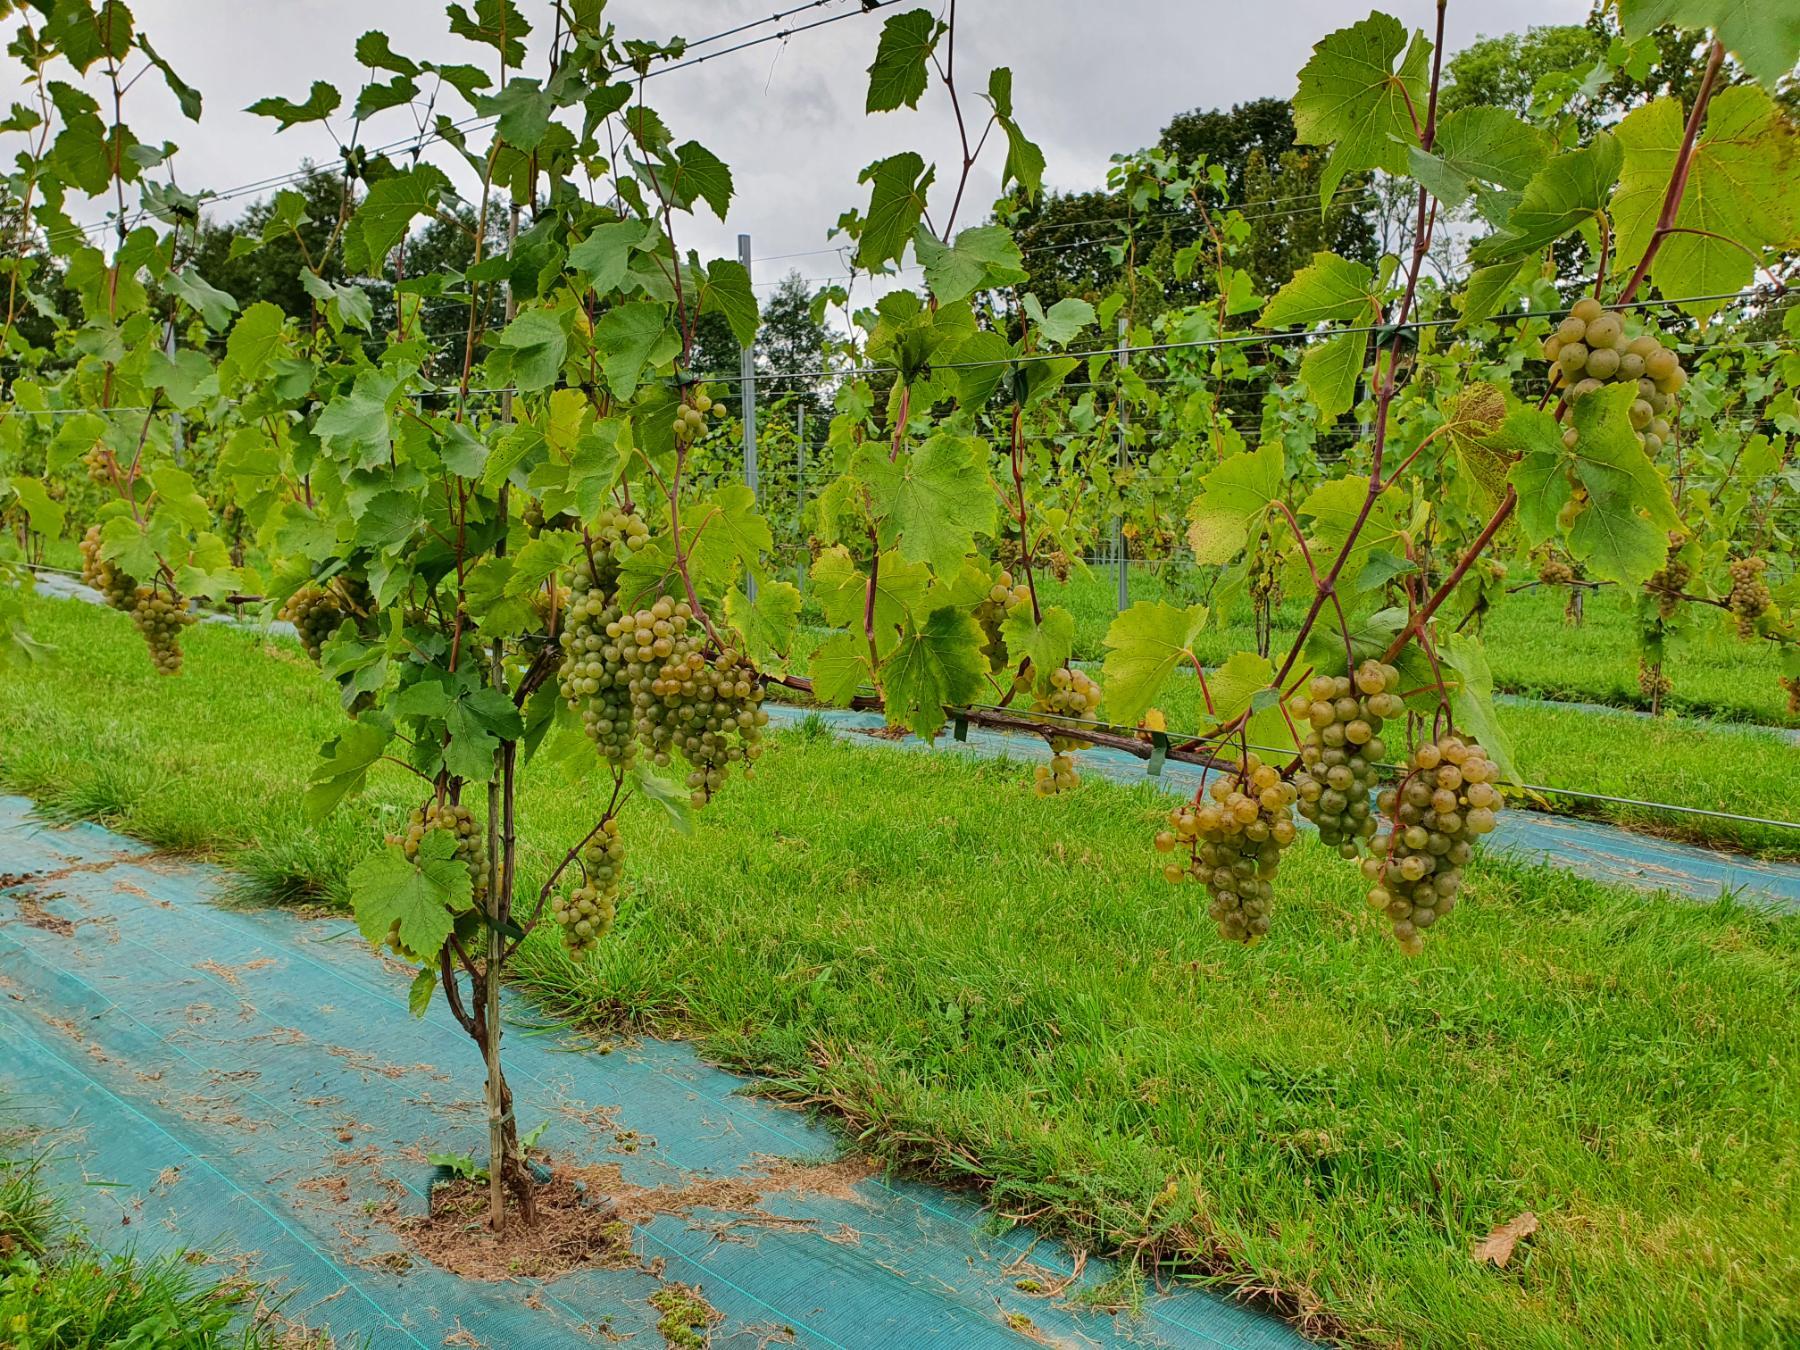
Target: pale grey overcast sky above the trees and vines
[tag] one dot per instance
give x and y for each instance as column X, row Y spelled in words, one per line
column 1090, row 78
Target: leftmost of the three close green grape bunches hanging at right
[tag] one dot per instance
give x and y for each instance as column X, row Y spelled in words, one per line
column 1236, row 847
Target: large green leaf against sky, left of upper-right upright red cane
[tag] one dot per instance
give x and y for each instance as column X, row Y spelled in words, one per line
column 1353, row 94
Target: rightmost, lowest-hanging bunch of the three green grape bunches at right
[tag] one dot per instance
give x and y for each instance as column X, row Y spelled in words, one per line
column 1437, row 811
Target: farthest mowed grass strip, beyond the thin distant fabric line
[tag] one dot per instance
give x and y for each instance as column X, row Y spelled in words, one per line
column 1531, row 647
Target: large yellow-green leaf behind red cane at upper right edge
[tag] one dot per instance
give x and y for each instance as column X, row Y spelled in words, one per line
column 1741, row 197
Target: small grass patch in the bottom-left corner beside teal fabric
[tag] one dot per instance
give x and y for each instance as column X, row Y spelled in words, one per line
column 58, row 1291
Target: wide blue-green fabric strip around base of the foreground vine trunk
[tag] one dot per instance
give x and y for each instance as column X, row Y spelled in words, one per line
column 249, row 1086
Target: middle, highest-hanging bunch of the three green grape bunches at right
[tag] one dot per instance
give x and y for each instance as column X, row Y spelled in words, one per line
column 1344, row 750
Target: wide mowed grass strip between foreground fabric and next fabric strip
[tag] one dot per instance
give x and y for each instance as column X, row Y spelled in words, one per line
column 1000, row 991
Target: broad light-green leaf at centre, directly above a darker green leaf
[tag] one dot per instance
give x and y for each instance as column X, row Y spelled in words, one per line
column 933, row 501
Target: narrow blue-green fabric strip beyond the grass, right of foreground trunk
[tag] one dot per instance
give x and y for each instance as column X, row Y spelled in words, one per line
column 1590, row 849
